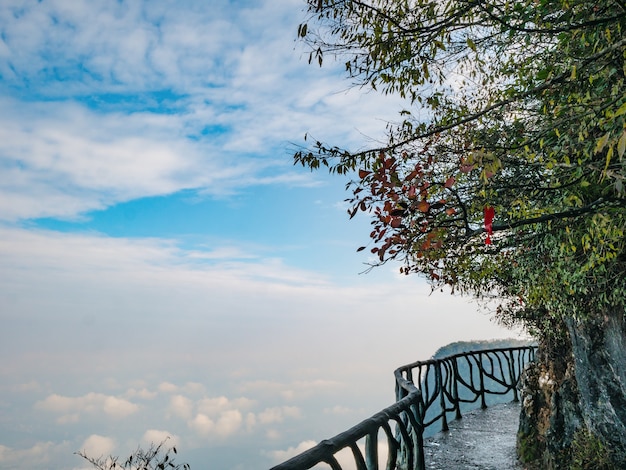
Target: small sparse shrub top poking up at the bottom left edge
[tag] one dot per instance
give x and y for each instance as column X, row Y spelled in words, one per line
column 156, row 457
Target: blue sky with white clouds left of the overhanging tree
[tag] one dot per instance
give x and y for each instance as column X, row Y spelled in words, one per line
column 165, row 269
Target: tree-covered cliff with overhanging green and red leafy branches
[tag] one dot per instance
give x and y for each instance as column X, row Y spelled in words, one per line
column 504, row 177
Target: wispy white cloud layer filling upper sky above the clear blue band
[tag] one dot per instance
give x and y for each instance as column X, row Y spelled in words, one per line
column 64, row 157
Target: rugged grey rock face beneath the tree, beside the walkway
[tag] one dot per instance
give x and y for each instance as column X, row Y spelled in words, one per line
column 574, row 399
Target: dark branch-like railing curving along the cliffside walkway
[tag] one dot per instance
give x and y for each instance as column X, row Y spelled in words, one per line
column 393, row 438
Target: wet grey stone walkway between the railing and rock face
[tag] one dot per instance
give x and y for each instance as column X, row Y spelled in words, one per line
column 481, row 440
